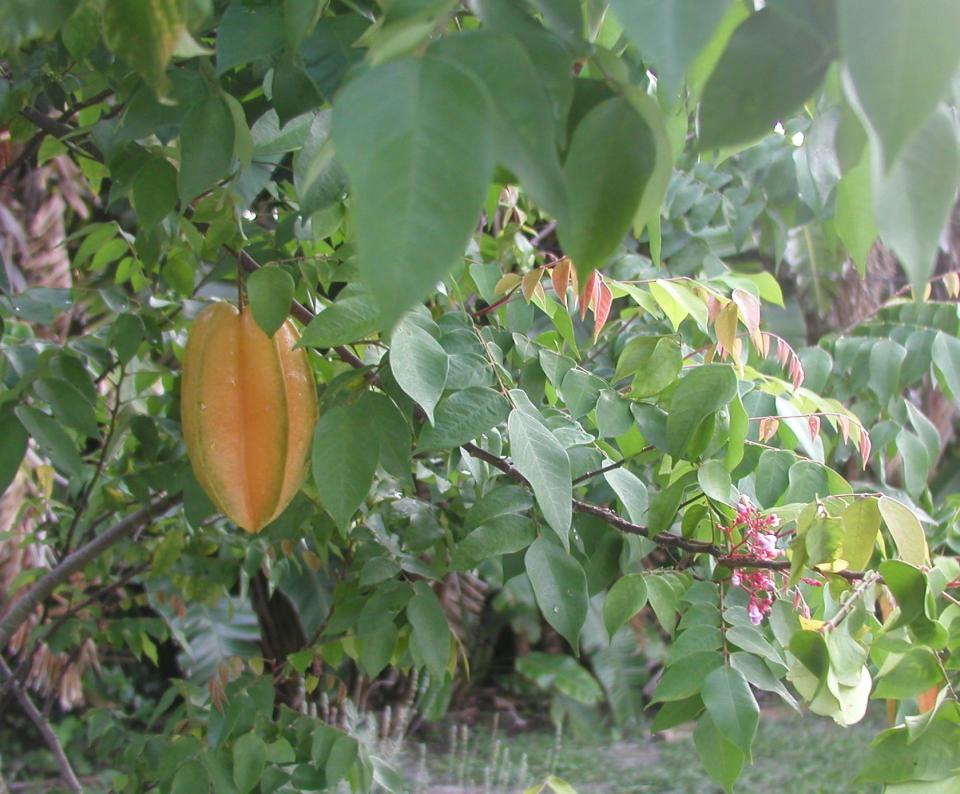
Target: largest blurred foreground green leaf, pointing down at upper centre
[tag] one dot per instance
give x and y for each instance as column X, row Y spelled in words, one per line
column 415, row 136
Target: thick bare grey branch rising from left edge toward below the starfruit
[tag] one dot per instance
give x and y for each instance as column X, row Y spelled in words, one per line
column 36, row 595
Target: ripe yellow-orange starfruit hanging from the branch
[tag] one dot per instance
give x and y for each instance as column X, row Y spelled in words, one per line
column 248, row 408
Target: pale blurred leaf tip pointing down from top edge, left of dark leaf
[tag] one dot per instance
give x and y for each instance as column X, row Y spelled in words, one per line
column 669, row 34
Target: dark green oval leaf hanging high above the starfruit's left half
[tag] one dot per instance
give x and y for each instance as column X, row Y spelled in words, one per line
column 206, row 147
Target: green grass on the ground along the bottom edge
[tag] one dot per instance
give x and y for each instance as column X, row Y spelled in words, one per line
column 793, row 754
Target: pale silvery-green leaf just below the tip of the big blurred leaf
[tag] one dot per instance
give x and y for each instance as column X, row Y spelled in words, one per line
column 419, row 364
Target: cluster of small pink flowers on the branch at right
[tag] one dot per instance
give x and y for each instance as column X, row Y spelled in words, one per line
column 758, row 540
